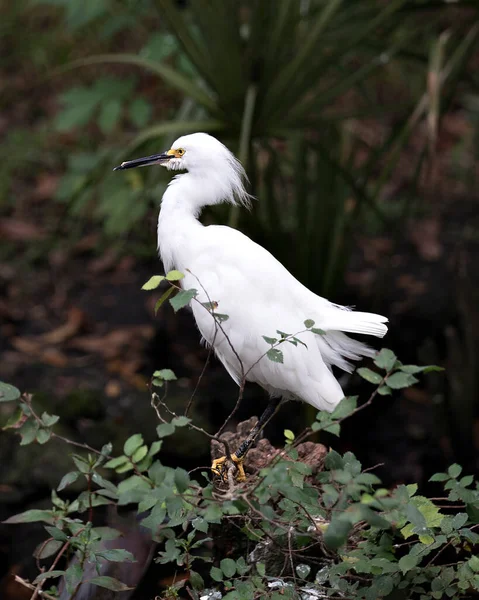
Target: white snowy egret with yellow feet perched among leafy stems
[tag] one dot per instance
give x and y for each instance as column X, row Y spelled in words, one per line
column 259, row 295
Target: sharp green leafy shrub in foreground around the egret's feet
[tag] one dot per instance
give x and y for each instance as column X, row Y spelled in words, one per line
column 336, row 533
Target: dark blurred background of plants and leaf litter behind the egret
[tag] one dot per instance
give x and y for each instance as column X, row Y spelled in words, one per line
column 358, row 124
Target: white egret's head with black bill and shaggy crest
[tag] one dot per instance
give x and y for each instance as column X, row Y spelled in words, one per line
column 204, row 156
